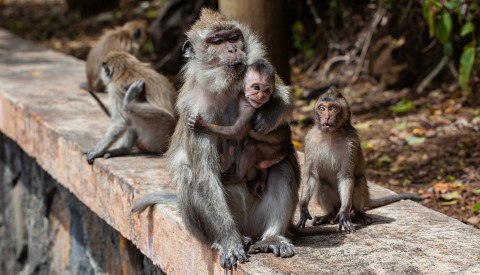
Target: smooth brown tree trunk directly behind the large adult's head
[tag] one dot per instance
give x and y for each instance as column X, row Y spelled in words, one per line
column 269, row 19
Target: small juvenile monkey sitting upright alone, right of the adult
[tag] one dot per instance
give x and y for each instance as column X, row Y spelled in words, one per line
column 334, row 164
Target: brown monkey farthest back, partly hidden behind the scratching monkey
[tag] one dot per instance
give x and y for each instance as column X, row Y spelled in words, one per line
column 129, row 38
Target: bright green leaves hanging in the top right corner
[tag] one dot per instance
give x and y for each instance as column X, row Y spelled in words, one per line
column 438, row 14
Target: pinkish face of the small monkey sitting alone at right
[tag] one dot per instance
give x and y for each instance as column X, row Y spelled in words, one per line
column 330, row 116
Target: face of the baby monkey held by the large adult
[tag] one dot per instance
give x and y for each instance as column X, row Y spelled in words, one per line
column 257, row 88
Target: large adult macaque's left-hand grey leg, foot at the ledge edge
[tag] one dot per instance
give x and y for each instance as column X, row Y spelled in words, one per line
column 209, row 222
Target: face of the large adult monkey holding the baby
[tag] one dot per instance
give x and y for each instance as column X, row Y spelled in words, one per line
column 226, row 49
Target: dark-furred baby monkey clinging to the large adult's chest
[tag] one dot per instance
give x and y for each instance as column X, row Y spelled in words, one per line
column 261, row 151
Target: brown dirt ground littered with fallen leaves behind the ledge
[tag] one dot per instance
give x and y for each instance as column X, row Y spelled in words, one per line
column 427, row 144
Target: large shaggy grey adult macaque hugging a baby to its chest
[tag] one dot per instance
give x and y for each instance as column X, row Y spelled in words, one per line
column 219, row 51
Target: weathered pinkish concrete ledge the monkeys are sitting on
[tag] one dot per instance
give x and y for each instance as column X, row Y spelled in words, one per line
column 55, row 122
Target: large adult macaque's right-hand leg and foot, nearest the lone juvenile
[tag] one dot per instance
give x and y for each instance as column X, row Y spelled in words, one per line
column 272, row 216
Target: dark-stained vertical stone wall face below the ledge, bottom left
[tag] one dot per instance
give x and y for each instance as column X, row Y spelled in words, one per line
column 45, row 229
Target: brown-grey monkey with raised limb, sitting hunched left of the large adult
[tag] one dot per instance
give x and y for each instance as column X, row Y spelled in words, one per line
column 142, row 107
